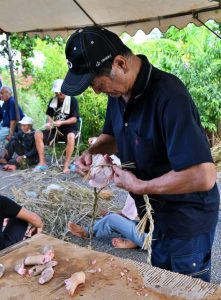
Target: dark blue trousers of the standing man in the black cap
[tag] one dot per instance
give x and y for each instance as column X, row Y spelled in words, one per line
column 188, row 256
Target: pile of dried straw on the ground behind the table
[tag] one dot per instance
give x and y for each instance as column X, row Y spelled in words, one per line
column 69, row 201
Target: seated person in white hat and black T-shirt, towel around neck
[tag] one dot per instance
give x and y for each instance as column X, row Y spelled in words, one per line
column 62, row 115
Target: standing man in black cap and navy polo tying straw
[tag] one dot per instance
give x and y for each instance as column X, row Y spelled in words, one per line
column 152, row 121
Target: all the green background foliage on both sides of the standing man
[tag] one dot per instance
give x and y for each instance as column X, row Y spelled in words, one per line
column 193, row 54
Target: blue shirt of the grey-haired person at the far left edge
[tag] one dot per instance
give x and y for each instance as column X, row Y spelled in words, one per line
column 9, row 113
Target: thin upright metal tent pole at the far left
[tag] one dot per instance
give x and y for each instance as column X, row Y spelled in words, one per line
column 12, row 75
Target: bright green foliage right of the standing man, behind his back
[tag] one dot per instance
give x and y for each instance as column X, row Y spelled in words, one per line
column 194, row 55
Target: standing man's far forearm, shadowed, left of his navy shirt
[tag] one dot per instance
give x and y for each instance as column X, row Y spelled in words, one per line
column 105, row 144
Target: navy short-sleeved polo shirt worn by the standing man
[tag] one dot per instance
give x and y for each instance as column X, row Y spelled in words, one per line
column 159, row 130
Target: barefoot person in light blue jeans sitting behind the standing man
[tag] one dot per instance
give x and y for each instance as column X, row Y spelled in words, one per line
column 122, row 225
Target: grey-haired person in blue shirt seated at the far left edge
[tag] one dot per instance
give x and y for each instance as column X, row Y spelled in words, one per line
column 9, row 120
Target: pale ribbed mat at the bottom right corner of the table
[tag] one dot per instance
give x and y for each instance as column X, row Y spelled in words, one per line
column 174, row 284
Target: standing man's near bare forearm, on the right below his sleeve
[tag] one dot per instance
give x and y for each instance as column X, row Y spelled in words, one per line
column 194, row 179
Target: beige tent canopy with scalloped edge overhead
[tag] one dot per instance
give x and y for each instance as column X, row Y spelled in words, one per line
column 62, row 17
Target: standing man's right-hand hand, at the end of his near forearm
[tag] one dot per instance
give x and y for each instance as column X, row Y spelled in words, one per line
column 126, row 180
